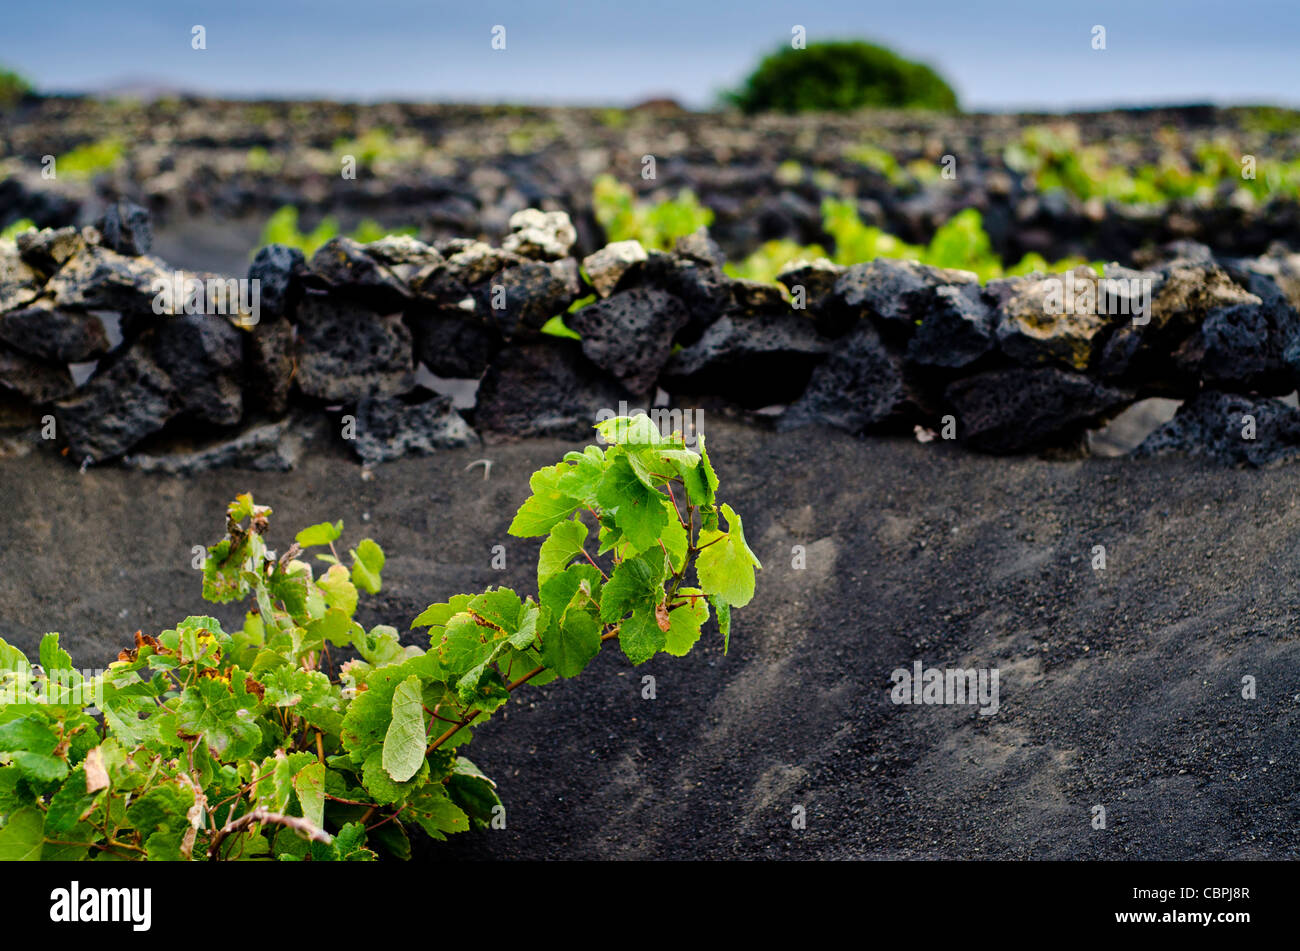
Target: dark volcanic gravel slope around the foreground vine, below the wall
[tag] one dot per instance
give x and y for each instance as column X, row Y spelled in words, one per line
column 1120, row 688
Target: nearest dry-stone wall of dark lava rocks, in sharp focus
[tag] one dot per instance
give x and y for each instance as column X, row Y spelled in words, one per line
column 112, row 355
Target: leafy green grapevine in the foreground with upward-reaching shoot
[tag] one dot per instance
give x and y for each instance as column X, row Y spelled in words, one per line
column 250, row 745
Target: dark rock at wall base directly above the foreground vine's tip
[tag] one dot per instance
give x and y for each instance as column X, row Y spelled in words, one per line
column 544, row 389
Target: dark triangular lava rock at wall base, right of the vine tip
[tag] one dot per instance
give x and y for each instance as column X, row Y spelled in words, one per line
column 859, row 387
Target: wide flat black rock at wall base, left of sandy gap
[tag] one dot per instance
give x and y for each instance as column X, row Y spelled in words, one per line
column 1021, row 410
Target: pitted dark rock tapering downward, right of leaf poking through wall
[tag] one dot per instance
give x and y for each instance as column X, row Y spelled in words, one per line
column 630, row 336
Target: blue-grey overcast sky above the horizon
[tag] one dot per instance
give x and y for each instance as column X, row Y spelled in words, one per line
column 998, row 55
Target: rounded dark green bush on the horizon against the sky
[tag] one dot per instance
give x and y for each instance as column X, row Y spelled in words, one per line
column 842, row 76
